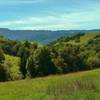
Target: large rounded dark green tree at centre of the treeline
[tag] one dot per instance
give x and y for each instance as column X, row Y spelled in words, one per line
column 40, row 63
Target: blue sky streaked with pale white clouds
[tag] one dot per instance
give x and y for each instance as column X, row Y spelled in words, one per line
column 50, row 14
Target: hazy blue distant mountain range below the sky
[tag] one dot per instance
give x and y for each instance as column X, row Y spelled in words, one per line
column 42, row 36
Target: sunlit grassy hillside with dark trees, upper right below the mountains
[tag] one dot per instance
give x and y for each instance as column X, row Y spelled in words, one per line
column 78, row 39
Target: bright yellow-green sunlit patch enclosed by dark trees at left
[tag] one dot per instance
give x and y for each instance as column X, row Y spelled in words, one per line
column 13, row 64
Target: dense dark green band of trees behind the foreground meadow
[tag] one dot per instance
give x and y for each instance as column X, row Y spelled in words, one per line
column 57, row 58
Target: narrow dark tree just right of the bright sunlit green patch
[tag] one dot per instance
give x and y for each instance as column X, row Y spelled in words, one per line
column 24, row 53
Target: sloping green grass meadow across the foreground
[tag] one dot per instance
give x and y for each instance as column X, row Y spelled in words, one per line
column 77, row 86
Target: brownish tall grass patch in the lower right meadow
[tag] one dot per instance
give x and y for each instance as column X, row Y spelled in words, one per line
column 65, row 91
